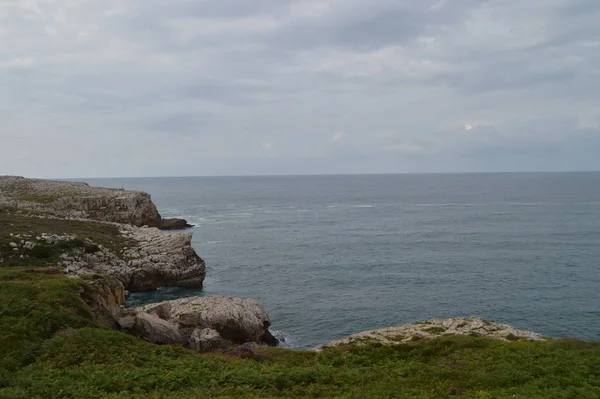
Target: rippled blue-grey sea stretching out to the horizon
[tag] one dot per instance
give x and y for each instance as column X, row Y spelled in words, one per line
column 334, row 255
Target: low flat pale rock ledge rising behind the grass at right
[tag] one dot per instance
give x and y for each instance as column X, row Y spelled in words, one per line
column 434, row 328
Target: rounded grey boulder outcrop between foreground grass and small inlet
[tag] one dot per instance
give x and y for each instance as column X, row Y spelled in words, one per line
column 201, row 323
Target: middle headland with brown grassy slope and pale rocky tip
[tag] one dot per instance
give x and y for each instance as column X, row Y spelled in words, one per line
column 145, row 258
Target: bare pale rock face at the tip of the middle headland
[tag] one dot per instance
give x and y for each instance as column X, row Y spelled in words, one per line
column 158, row 260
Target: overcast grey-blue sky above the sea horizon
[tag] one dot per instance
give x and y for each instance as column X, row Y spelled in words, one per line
column 101, row 88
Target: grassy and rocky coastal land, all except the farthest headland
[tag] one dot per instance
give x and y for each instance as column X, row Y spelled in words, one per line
column 66, row 332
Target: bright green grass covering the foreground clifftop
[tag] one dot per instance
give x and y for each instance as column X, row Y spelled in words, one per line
column 50, row 348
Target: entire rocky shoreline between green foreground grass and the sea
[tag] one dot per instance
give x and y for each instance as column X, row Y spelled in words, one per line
column 114, row 243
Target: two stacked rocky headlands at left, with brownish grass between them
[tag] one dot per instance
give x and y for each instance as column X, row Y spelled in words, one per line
column 83, row 230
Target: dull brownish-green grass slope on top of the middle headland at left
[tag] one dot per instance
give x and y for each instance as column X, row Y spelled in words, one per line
column 88, row 234
